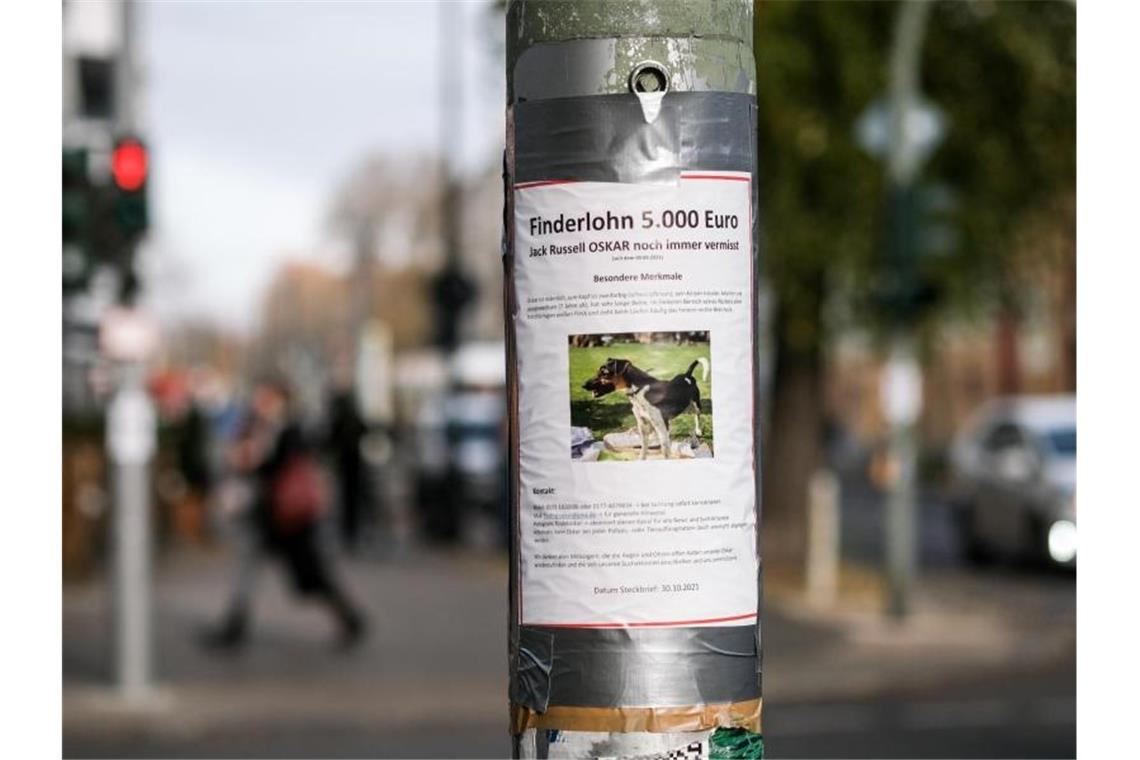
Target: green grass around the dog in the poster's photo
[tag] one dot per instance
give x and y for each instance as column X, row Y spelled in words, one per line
column 613, row 413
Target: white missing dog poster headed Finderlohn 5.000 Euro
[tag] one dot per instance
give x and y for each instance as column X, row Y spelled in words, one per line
column 633, row 332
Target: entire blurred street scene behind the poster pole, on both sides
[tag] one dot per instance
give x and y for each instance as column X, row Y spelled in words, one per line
column 282, row 244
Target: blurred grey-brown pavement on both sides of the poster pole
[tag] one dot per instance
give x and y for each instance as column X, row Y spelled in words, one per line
column 435, row 663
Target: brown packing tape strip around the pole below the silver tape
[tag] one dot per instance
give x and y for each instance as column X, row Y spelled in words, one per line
column 689, row 718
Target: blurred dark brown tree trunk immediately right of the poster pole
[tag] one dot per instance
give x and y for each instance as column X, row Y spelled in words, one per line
column 792, row 452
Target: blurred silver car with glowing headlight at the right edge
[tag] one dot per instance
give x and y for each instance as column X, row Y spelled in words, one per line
column 1015, row 480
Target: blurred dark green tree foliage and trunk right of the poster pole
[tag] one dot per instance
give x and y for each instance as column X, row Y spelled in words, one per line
column 1005, row 77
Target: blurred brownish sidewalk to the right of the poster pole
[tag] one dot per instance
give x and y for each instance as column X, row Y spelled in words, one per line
column 965, row 626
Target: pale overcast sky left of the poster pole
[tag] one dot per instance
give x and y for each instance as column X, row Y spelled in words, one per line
column 256, row 111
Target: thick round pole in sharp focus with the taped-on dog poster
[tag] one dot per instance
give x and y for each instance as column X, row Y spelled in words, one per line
column 630, row 269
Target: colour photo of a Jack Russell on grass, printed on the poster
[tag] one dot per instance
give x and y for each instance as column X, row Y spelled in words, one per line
column 641, row 396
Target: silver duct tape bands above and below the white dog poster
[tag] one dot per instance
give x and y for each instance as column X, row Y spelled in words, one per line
column 607, row 138
